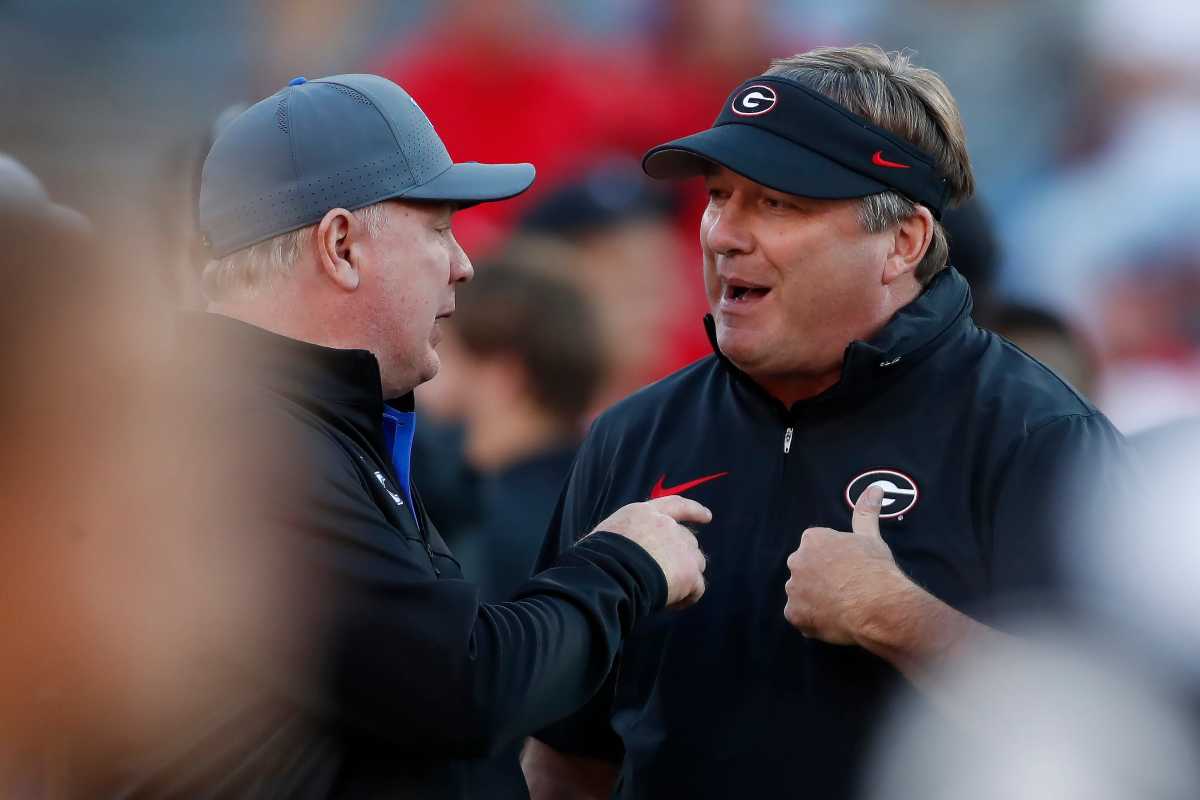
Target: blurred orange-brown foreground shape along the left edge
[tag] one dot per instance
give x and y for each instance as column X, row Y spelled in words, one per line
column 115, row 598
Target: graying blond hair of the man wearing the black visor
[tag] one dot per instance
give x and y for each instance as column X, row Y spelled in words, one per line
column 910, row 101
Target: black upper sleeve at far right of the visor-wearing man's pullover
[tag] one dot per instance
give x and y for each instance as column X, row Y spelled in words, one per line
column 1052, row 495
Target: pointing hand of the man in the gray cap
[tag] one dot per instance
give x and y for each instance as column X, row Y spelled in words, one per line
column 658, row 527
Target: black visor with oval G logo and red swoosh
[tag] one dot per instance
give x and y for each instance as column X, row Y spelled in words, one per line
column 797, row 141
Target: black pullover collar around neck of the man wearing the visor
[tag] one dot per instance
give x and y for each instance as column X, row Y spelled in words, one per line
column 911, row 336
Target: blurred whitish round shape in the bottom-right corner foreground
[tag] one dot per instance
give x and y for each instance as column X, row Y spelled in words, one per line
column 1051, row 717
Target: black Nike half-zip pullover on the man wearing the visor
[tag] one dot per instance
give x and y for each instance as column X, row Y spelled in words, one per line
column 727, row 700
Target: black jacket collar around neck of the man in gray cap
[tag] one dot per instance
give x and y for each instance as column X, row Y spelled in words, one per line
column 343, row 387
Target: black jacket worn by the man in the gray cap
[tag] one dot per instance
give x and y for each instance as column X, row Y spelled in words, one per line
column 406, row 671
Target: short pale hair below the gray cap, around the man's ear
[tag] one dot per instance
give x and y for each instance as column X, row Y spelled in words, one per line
column 248, row 272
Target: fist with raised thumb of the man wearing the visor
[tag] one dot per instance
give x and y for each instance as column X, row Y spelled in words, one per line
column 838, row 579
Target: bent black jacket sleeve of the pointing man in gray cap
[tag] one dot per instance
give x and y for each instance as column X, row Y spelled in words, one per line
column 423, row 664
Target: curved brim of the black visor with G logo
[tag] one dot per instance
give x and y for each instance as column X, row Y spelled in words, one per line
column 761, row 157
